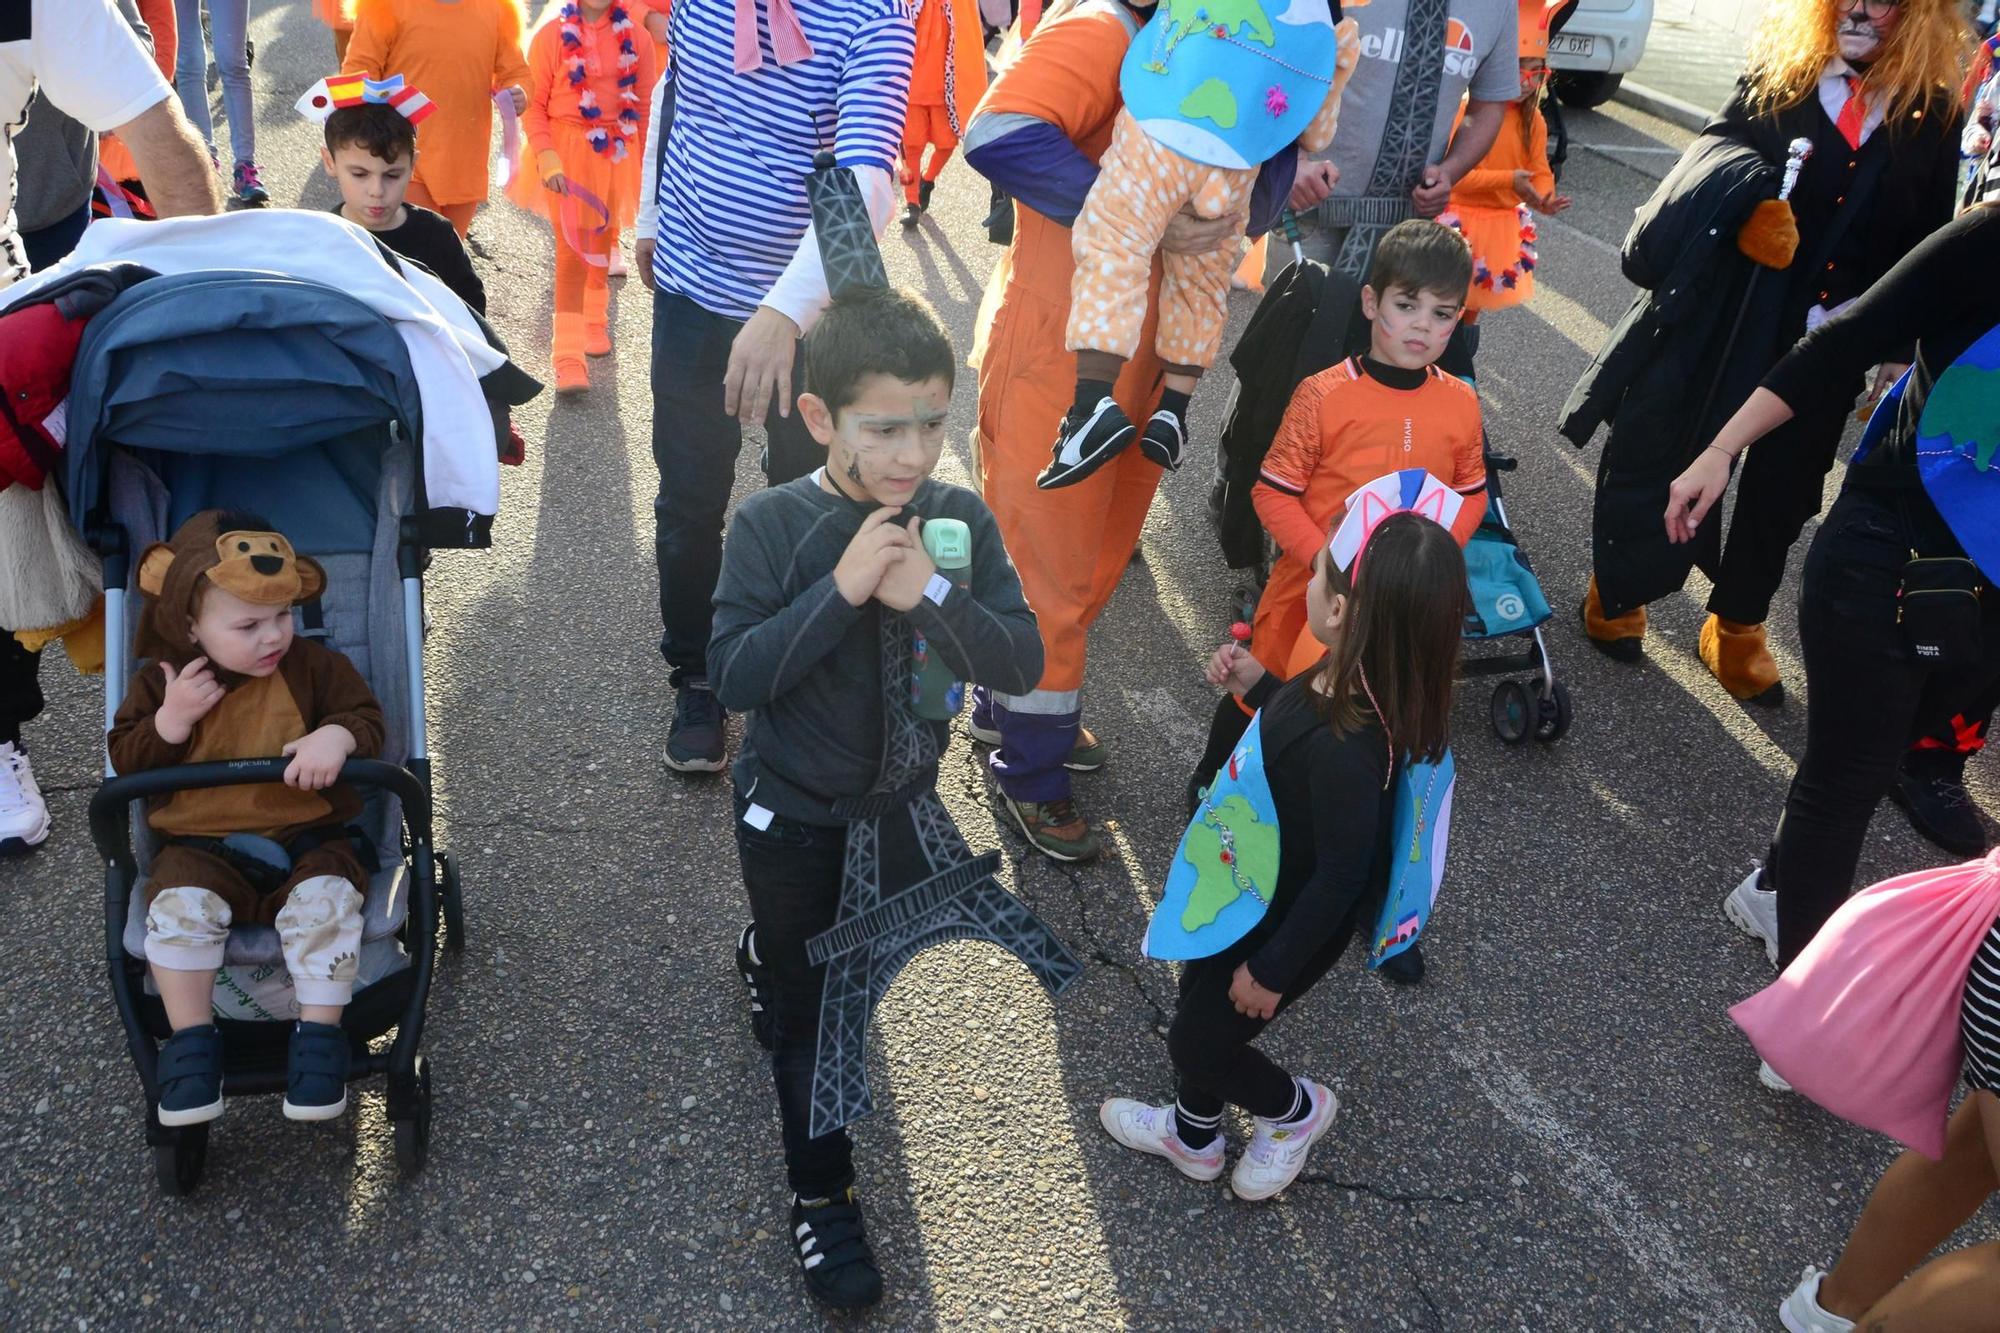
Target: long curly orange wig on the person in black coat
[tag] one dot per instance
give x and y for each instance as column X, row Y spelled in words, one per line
column 1923, row 57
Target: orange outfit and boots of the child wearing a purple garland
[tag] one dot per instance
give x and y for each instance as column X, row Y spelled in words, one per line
column 555, row 131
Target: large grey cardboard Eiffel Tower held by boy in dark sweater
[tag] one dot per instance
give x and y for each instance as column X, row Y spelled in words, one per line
column 909, row 880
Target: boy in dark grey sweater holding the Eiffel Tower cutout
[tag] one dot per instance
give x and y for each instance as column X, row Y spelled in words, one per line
column 825, row 589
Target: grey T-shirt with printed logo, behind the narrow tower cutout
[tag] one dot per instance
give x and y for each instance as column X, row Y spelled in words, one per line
column 1481, row 57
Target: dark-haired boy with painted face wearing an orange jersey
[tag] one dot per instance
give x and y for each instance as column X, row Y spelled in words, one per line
column 1379, row 413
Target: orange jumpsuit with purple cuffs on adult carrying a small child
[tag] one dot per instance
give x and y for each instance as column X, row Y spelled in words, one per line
column 1075, row 543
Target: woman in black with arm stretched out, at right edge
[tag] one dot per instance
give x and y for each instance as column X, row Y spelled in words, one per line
column 1869, row 694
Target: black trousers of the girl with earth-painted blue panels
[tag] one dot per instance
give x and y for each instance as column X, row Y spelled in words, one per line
column 1211, row 1042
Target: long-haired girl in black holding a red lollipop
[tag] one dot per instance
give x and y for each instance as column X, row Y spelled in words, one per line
column 1331, row 738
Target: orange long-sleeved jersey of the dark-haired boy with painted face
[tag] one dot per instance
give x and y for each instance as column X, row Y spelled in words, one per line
column 1341, row 431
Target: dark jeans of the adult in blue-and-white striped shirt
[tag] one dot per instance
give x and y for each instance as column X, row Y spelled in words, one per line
column 695, row 445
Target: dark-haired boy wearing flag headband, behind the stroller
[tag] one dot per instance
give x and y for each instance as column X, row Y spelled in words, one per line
column 371, row 153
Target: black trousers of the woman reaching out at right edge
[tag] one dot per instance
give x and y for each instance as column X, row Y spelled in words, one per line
column 1867, row 698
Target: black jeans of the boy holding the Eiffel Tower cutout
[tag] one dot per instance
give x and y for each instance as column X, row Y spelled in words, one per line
column 793, row 878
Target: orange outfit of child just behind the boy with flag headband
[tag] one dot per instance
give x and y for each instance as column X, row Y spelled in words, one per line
column 457, row 53
